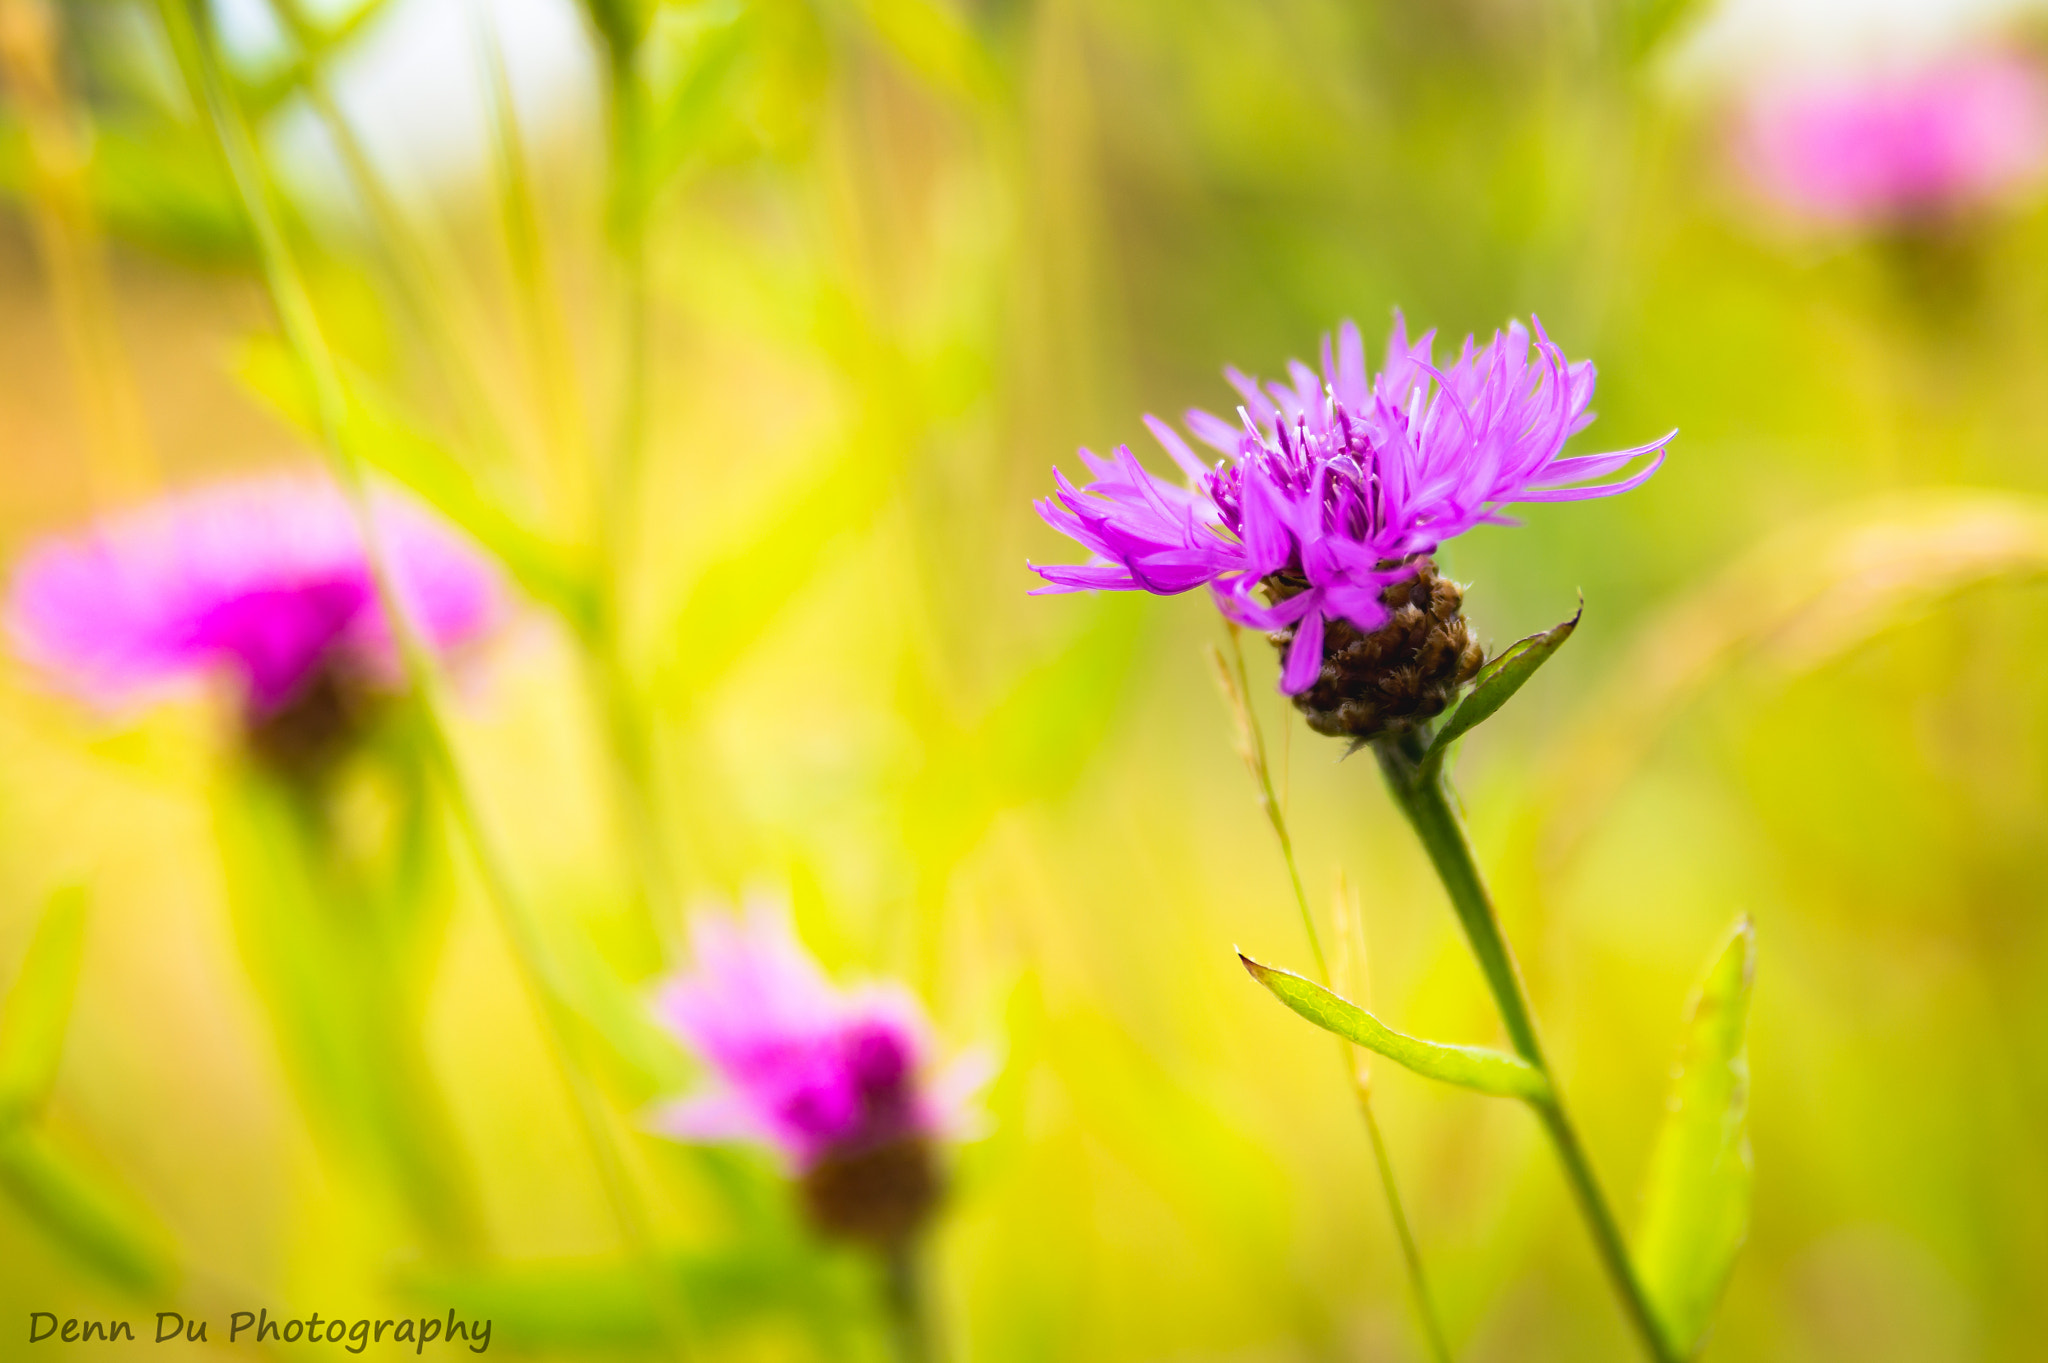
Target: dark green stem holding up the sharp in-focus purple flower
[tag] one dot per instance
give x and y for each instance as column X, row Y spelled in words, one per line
column 1426, row 803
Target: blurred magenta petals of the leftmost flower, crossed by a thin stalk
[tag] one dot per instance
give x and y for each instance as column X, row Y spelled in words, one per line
column 265, row 578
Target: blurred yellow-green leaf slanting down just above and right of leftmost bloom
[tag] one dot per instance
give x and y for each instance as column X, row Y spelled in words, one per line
column 411, row 457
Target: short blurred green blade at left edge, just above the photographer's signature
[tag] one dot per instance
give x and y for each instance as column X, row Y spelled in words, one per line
column 73, row 1211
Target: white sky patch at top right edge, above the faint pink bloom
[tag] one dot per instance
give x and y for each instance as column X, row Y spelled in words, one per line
column 1736, row 42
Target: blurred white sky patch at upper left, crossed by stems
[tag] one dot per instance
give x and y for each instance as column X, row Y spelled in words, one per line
column 417, row 91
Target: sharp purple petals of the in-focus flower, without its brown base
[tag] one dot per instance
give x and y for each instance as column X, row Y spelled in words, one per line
column 1340, row 484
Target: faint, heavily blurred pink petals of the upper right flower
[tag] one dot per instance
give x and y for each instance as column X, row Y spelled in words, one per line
column 1900, row 146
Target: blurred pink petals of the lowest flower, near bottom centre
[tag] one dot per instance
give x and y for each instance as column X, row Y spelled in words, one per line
column 802, row 1065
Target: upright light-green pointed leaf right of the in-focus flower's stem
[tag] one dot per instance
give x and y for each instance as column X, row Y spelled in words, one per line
column 1697, row 1198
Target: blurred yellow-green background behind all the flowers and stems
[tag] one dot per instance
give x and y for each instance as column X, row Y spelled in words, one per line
column 900, row 261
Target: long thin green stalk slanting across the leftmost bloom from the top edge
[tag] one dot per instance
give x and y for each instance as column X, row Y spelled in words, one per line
column 302, row 331
